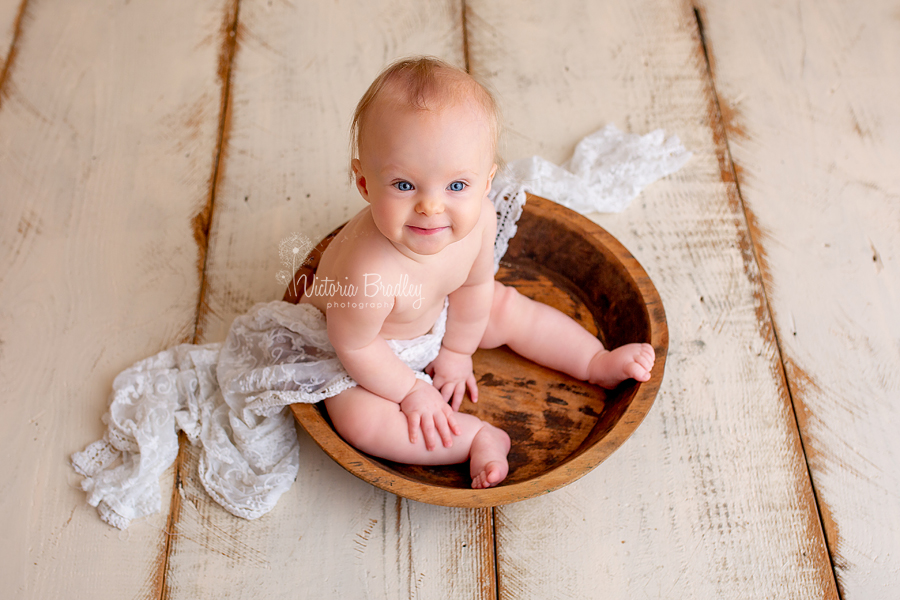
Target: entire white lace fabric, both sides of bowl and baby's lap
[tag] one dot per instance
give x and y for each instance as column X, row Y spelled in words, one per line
column 231, row 397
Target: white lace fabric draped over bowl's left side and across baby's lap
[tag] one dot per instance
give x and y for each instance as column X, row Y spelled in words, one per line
column 230, row 398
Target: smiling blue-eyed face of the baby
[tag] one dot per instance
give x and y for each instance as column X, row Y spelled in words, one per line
column 425, row 173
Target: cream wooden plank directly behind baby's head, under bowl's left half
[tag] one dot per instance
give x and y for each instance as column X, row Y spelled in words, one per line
column 298, row 71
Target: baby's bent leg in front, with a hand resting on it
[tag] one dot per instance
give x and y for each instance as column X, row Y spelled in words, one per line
column 378, row 427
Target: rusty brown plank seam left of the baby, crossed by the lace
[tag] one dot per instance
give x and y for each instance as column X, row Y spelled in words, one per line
column 202, row 223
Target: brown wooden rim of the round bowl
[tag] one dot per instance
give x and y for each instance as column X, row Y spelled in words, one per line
column 379, row 475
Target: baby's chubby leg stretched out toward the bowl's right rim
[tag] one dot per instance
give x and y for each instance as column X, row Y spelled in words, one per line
column 550, row 338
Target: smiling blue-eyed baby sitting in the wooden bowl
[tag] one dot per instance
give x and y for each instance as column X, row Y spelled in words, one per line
column 424, row 141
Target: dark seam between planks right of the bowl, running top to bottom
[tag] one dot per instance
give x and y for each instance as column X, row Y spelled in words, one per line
column 765, row 292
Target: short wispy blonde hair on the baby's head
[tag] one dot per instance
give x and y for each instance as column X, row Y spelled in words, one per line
column 425, row 83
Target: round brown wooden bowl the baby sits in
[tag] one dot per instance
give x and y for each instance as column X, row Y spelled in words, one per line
column 560, row 428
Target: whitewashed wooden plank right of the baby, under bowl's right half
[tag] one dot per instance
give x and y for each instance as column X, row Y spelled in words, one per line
column 711, row 497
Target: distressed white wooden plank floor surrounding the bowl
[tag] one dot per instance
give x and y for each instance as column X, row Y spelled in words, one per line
column 154, row 152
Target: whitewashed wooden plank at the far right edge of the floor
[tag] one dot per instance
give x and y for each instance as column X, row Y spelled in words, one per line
column 809, row 92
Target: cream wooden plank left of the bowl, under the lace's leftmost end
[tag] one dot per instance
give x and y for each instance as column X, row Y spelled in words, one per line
column 107, row 128
